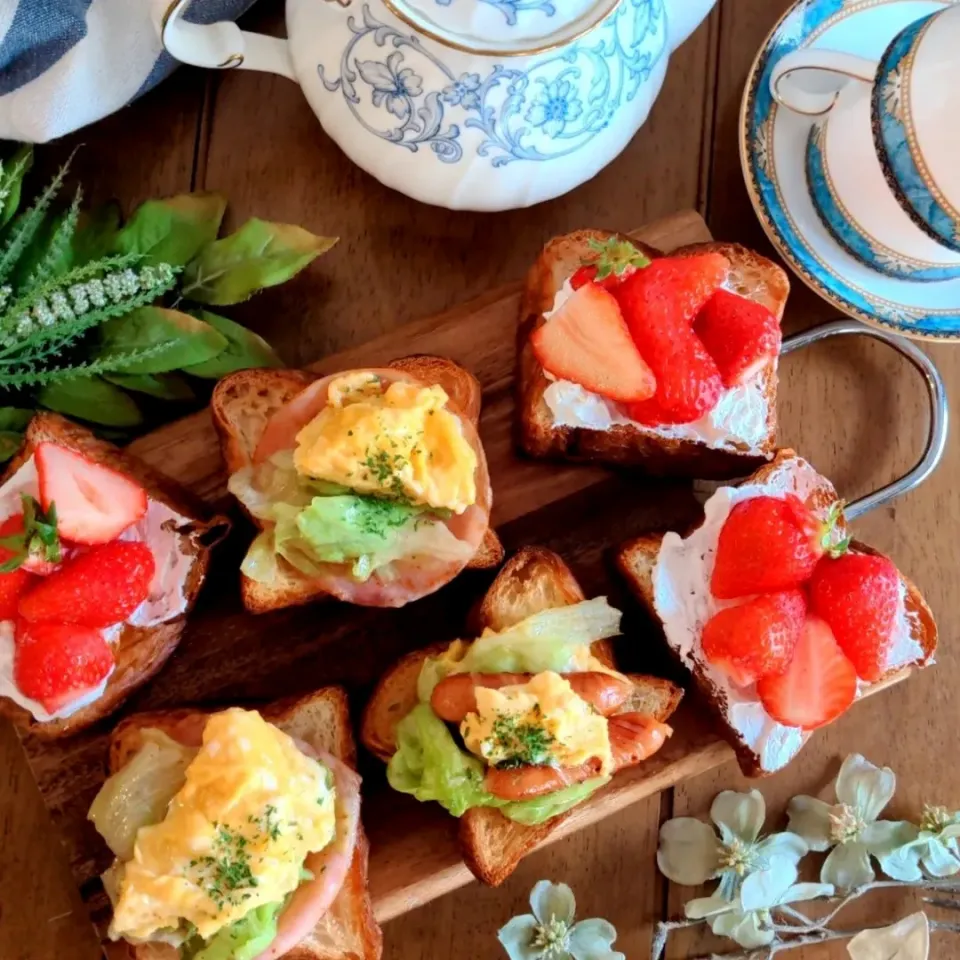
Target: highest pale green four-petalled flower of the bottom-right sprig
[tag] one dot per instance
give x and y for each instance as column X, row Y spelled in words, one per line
column 850, row 826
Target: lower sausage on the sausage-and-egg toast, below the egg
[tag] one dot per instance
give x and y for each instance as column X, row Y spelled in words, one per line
column 633, row 737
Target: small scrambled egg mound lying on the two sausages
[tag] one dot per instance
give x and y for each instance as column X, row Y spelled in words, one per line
column 540, row 722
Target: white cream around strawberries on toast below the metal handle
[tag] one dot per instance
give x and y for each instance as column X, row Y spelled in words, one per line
column 684, row 603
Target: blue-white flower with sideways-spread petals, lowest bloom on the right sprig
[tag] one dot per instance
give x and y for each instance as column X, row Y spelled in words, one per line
column 747, row 919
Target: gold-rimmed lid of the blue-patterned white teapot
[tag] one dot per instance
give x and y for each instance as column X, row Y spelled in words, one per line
column 504, row 27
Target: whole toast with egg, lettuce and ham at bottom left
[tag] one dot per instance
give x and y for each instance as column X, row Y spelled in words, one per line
column 237, row 835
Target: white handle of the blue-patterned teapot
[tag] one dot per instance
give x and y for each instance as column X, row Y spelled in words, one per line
column 219, row 46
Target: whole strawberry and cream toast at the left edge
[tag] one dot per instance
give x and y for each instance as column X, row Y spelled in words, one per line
column 100, row 560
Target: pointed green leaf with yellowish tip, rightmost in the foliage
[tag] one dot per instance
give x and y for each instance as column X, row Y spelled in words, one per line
column 260, row 254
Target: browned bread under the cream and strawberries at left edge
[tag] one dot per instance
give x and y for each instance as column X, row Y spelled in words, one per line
column 140, row 651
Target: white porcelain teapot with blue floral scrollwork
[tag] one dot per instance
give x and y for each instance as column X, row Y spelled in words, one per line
column 467, row 104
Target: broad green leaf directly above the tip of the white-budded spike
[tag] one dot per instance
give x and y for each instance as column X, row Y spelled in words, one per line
column 175, row 230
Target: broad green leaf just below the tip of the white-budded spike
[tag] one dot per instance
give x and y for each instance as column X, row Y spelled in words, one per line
column 184, row 340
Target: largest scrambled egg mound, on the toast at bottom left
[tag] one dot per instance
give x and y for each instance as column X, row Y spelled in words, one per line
column 235, row 836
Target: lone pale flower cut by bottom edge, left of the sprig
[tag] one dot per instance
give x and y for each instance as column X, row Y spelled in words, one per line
column 550, row 933
